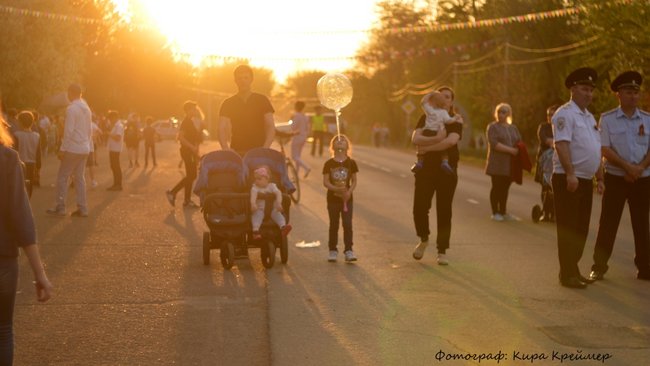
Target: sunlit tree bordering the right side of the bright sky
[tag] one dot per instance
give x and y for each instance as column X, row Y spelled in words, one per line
column 391, row 58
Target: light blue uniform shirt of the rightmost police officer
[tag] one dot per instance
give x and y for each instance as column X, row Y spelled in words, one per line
column 628, row 137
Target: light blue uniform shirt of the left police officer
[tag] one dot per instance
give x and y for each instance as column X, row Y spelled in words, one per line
column 579, row 128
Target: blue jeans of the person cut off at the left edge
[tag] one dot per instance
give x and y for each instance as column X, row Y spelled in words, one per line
column 8, row 286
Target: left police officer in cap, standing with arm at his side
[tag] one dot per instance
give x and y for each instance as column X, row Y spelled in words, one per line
column 575, row 163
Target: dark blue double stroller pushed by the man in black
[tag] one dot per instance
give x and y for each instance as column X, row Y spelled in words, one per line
column 223, row 187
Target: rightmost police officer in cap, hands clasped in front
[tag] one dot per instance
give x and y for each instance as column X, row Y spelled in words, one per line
column 625, row 136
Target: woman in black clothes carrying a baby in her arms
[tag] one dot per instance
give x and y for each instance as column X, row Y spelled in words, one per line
column 432, row 178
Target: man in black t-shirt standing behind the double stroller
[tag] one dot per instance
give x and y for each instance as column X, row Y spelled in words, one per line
column 246, row 118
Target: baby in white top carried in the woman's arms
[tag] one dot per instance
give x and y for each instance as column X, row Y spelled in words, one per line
column 437, row 116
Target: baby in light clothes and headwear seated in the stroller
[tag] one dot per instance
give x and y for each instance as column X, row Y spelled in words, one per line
column 263, row 185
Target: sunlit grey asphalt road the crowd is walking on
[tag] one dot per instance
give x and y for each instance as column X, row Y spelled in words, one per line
column 131, row 288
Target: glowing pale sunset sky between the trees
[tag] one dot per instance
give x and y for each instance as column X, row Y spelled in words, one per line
column 283, row 35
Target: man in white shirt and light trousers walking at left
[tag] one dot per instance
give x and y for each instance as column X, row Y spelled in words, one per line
column 75, row 147
